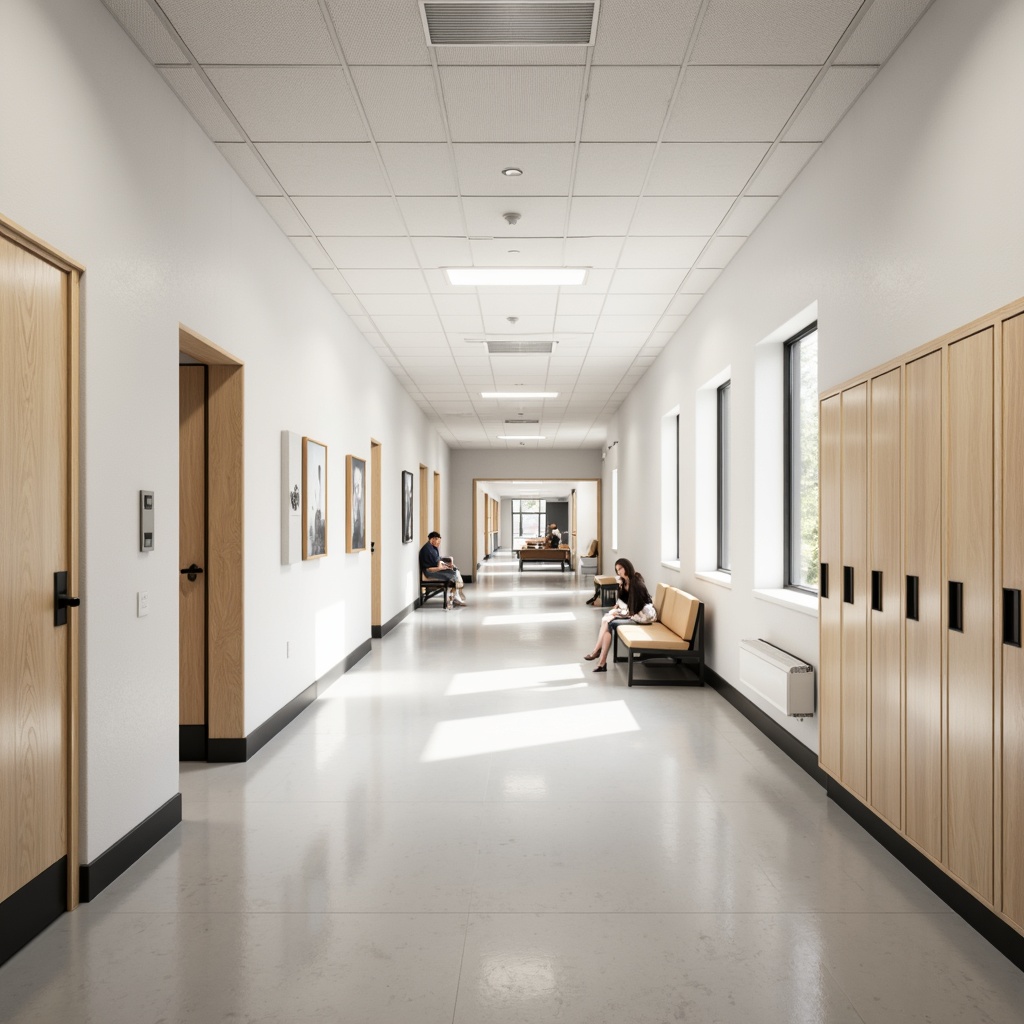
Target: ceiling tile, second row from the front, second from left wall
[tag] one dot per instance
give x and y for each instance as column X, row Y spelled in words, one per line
column 291, row 105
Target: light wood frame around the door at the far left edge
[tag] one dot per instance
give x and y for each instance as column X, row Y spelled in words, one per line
column 19, row 236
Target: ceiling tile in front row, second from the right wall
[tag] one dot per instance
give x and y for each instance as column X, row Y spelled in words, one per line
column 784, row 32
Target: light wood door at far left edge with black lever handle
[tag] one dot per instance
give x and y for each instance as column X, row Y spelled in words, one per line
column 36, row 388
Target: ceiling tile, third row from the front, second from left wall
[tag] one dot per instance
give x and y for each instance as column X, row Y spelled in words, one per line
column 325, row 168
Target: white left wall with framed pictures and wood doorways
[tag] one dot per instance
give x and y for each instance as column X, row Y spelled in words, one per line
column 102, row 161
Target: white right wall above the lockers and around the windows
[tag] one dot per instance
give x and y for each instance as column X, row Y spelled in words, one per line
column 905, row 226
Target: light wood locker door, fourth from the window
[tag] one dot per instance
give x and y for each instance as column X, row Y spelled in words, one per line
column 924, row 637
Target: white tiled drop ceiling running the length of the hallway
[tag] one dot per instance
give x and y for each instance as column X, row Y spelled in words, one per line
column 649, row 158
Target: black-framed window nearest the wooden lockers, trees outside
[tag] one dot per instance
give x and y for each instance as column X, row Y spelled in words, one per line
column 801, row 461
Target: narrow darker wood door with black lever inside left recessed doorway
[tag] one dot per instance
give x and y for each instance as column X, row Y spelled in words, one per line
column 192, row 544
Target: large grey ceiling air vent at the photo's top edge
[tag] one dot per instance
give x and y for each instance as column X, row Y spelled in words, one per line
column 470, row 23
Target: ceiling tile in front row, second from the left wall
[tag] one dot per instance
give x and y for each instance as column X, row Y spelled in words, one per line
column 253, row 32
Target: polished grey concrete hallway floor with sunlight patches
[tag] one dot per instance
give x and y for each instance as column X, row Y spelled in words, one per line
column 472, row 828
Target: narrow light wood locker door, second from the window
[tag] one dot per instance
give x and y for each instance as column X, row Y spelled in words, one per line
column 856, row 587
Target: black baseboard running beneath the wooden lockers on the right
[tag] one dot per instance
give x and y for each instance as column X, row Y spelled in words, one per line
column 993, row 928
